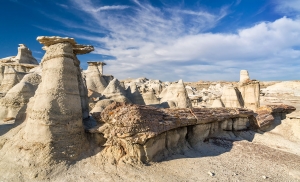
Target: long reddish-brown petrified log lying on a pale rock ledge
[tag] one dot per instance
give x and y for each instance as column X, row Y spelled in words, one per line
column 137, row 123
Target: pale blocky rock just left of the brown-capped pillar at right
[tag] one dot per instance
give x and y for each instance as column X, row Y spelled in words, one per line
column 231, row 97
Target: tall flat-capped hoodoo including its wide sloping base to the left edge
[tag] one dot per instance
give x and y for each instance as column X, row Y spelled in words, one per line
column 51, row 131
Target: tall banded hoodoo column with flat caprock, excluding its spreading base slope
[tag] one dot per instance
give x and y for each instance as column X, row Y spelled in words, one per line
column 55, row 112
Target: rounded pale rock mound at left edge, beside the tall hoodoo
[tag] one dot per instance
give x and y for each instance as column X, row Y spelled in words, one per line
column 19, row 96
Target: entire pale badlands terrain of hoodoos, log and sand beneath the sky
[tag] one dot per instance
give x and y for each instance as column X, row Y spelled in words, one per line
column 61, row 123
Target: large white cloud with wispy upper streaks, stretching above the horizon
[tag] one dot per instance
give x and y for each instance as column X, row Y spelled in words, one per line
column 172, row 43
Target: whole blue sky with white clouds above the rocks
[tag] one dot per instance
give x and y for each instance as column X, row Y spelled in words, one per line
column 166, row 39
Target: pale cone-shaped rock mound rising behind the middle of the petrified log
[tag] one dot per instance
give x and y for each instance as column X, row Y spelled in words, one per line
column 176, row 93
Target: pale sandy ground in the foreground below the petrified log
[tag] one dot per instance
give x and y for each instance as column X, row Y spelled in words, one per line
column 225, row 161
